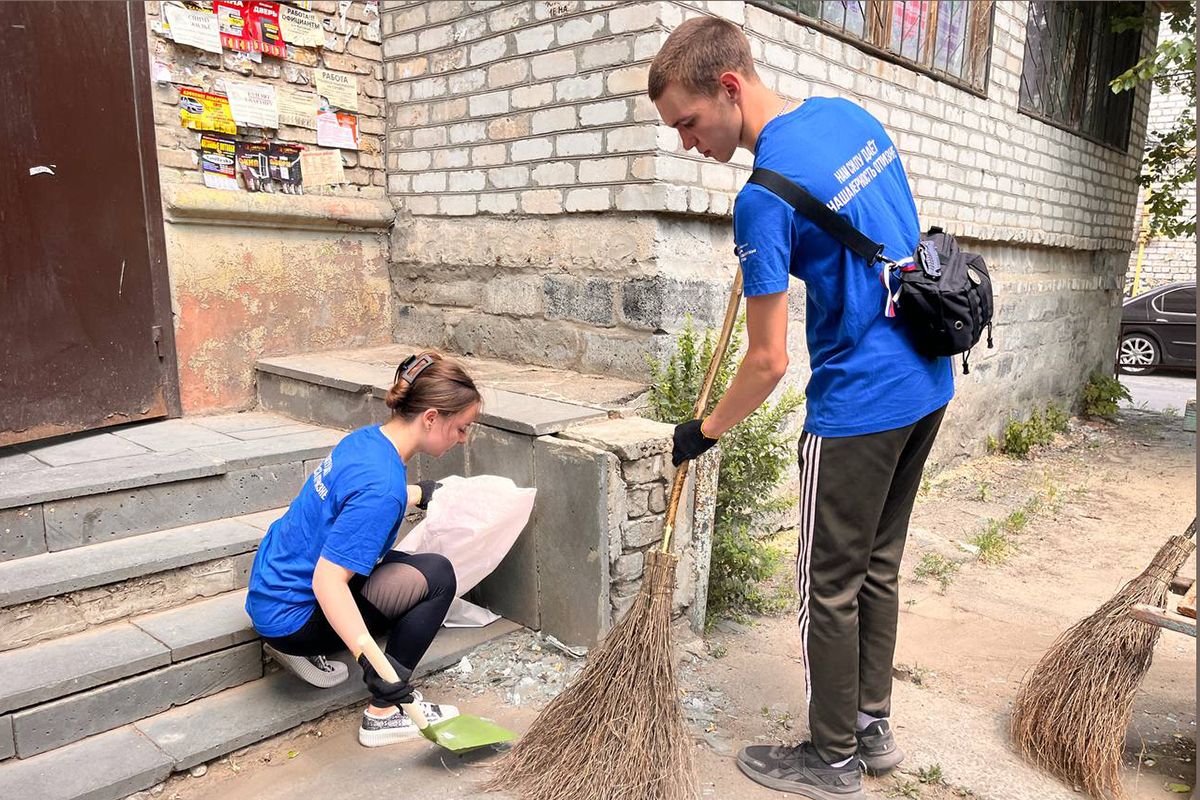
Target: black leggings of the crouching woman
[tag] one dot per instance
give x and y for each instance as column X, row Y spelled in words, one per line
column 406, row 597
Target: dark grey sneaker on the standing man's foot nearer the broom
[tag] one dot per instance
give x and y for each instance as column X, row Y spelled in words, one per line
column 801, row 772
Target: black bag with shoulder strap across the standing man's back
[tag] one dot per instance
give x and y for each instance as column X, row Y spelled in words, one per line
column 944, row 294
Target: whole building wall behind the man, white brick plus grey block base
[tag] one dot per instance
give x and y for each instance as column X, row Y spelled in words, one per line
column 520, row 141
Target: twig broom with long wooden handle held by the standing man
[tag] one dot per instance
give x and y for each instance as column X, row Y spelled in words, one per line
column 617, row 733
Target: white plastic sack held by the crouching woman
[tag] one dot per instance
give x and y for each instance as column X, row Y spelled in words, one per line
column 475, row 524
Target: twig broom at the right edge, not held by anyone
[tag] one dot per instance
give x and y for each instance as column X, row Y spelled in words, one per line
column 1073, row 709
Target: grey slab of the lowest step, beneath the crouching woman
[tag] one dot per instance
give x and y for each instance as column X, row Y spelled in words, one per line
column 209, row 729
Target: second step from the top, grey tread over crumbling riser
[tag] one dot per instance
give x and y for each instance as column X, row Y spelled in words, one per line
column 53, row 596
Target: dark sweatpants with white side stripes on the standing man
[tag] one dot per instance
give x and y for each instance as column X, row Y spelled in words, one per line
column 856, row 500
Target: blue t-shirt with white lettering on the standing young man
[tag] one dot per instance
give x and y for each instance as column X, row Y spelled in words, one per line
column 867, row 377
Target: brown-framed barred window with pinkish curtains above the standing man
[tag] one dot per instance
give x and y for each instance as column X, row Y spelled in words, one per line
column 949, row 40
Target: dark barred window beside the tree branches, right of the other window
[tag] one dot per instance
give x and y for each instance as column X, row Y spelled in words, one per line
column 1071, row 57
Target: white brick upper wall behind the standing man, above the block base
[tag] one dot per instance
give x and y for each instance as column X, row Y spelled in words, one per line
column 567, row 81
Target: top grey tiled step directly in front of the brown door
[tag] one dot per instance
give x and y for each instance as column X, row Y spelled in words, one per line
column 99, row 488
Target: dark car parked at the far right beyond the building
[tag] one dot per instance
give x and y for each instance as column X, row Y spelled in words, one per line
column 1159, row 329
